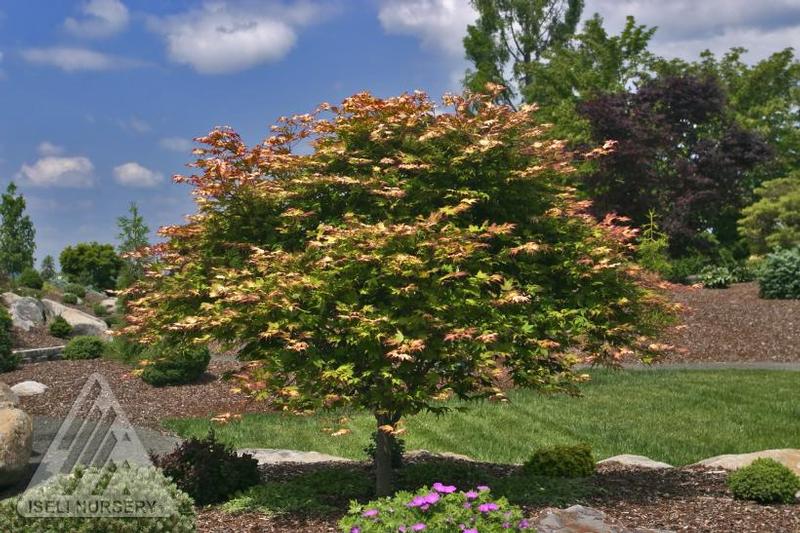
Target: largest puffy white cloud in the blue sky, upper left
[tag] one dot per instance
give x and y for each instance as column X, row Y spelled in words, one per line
column 222, row 37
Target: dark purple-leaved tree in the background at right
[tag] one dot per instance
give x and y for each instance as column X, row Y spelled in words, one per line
column 677, row 153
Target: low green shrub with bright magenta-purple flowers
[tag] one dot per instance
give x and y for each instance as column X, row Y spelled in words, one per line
column 441, row 508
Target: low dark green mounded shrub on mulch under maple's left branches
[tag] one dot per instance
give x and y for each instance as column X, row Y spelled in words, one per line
column 174, row 363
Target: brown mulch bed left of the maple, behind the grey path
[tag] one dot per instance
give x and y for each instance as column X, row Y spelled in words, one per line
column 144, row 404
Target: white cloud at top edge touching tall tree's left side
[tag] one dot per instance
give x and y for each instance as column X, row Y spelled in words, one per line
column 439, row 24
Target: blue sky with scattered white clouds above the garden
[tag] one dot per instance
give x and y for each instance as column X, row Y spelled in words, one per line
column 99, row 99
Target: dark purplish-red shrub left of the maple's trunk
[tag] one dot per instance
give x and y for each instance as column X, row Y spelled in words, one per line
column 208, row 470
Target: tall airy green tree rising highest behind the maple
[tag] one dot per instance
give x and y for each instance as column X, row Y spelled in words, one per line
column 511, row 36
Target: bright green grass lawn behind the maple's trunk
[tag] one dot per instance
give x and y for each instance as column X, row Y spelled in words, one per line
column 677, row 416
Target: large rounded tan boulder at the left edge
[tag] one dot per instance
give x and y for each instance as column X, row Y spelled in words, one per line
column 16, row 444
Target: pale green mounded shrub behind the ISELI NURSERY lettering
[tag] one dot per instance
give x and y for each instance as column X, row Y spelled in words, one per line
column 175, row 505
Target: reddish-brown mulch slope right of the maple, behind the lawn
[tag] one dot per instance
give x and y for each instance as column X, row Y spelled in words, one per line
column 734, row 324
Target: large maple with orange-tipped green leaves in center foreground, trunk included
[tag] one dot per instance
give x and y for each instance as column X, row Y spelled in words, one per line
column 411, row 257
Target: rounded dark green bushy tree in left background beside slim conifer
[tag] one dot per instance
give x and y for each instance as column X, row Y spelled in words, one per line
column 91, row 264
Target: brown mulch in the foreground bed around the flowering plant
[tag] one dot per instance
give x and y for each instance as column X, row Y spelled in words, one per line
column 686, row 499
